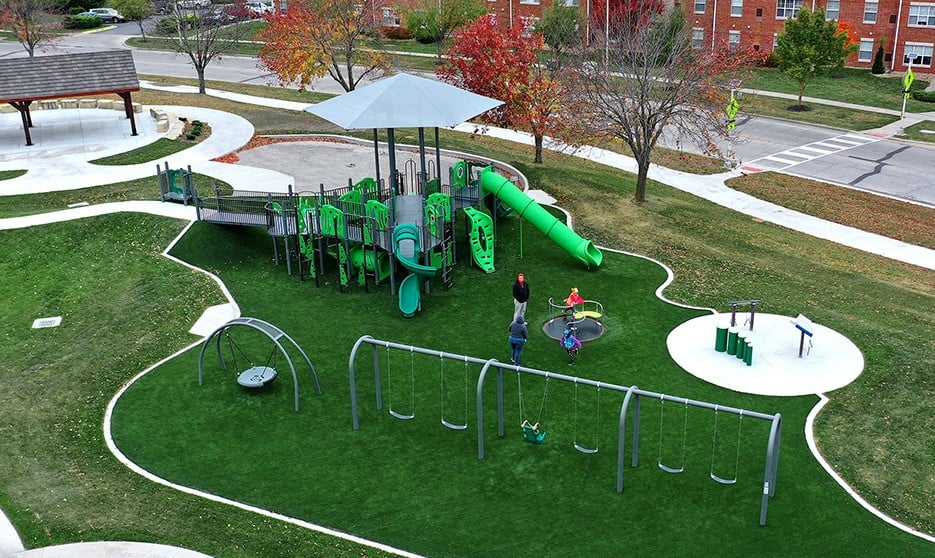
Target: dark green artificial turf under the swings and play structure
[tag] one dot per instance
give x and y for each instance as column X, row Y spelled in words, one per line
column 419, row 486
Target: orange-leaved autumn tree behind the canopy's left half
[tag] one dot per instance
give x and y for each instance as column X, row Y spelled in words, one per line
column 315, row 38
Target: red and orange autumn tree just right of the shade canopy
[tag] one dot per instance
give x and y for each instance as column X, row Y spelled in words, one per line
column 504, row 65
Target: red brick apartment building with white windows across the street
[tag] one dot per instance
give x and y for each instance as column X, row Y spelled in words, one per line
column 906, row 28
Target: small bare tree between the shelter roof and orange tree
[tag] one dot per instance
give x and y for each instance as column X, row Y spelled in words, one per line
column 201, row 34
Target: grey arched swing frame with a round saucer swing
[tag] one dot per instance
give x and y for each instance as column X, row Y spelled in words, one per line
column 256, row 376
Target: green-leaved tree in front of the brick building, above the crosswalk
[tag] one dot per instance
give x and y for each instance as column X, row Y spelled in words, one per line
column 809, row 45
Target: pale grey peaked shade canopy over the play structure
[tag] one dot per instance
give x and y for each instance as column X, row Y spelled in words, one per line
column 403, row 101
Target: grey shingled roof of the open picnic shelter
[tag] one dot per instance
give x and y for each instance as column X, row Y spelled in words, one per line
column 67, row 75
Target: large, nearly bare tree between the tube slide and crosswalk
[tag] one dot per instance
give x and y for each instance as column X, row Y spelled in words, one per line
column 648, row 77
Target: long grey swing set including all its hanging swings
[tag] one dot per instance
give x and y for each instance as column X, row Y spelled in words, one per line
column 632, row 403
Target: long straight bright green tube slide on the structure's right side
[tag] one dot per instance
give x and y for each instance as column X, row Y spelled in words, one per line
column 528, row 209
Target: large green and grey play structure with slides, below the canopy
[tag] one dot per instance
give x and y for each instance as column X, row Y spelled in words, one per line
column 368, row 227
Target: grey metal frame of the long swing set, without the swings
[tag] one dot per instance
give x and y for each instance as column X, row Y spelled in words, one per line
column 631, row 404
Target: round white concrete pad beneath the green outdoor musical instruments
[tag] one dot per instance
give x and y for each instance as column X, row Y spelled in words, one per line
column 830, row 362
